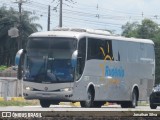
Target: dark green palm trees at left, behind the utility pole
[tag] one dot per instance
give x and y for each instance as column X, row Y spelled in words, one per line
column 9, row 46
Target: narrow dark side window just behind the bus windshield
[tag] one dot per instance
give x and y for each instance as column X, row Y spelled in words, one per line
column 81, row 57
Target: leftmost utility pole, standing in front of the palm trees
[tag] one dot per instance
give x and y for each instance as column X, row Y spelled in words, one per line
column 20, row 22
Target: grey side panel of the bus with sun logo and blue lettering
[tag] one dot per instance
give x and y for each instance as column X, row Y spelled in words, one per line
column 114, row 67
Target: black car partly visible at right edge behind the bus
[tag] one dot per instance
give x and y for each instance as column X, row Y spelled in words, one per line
column 155, row 97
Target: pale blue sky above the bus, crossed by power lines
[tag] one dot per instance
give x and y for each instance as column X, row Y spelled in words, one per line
column 94, row 14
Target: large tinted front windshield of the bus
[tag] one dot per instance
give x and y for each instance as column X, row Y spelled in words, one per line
column 48, row 60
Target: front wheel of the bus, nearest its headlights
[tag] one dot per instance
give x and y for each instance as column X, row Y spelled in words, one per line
column 90, row 100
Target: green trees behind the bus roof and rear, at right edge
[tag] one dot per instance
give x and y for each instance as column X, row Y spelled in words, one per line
column 148, row 29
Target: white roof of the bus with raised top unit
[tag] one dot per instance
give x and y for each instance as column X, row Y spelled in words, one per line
column 79, row 33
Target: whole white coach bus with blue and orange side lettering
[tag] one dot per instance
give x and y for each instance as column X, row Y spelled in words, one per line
column 87, row 66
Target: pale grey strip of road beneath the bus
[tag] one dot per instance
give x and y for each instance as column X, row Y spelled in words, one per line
column 71, row 108
